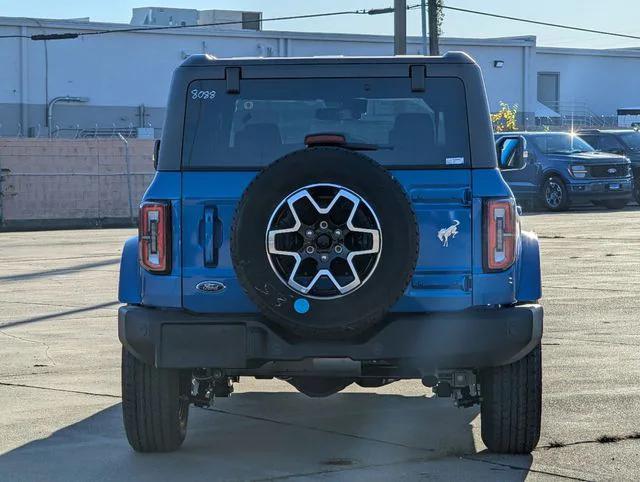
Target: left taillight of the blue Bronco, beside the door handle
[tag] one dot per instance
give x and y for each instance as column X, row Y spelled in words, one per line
column 154, row 236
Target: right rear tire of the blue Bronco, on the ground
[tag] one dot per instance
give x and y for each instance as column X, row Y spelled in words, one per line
column 512, row 405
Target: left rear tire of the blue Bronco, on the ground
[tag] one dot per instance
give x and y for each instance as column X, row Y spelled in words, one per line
column 155, row 405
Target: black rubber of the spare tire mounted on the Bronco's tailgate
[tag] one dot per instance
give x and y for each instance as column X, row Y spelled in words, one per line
column 355, row 311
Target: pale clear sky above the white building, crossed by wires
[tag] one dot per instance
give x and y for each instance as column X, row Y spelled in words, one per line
column 613, row 15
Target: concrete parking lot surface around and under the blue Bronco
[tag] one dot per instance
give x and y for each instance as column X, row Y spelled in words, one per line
column 60, row 380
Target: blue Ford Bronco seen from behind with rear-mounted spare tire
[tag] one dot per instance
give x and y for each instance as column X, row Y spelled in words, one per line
column 329, row 221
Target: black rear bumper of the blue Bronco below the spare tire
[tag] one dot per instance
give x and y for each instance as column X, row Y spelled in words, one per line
column 467, row 339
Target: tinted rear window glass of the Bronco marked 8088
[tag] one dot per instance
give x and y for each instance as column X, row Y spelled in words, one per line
column 270, row 118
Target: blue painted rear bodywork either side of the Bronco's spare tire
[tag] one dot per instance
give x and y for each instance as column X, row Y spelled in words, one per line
column 447, row 278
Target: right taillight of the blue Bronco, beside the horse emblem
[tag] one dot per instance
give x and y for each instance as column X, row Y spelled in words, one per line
column 500, row 234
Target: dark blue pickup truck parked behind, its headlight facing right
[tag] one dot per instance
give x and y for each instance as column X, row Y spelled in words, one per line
column 558, row 169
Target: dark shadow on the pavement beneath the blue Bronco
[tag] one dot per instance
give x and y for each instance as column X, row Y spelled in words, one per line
column 255, row 436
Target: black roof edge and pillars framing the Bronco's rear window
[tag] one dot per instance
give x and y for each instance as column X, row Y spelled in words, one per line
column 237, row 71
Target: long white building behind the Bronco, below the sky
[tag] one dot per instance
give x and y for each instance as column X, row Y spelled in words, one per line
column 122, row 79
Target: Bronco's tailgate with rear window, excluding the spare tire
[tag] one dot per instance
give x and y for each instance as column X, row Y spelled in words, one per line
column 414, row 126
